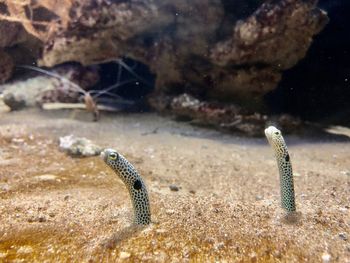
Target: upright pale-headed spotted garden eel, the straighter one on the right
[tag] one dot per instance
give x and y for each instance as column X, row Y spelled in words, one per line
column 275, row 138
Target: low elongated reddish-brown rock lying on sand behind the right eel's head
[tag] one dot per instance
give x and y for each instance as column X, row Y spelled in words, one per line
column 226, row 117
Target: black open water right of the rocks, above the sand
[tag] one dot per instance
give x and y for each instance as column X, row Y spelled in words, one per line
column 318, row 87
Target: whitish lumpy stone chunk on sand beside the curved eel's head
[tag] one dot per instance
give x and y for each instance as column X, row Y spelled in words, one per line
column 79, row 147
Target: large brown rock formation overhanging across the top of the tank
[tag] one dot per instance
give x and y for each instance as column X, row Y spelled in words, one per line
column 208, row 48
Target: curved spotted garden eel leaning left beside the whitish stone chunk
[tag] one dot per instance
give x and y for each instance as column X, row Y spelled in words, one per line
column 133, row 181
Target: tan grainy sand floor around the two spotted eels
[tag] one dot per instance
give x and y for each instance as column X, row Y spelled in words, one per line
column 56, row 208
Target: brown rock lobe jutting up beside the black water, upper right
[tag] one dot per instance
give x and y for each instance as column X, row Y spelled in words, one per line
column 278, row 34
